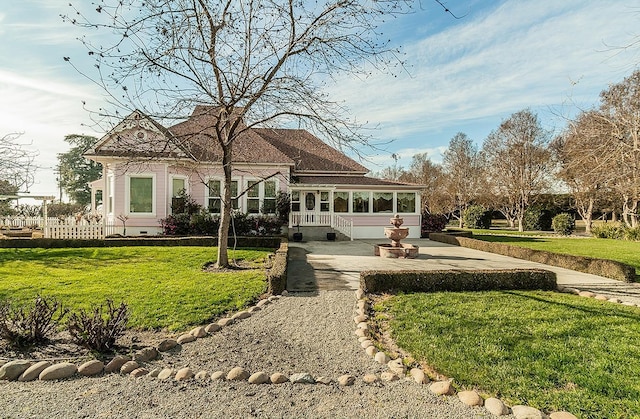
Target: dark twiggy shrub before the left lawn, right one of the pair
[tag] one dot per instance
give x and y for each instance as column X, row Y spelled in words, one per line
column 98, row 331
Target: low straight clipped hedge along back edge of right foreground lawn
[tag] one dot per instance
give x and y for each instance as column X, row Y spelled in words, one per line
column 457, row 280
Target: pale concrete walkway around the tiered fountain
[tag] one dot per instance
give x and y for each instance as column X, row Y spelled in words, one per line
column 324, row 265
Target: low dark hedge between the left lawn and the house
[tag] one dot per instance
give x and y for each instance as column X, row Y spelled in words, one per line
column 245, row 242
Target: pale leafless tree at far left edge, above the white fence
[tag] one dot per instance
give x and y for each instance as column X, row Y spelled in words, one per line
column 17, row 166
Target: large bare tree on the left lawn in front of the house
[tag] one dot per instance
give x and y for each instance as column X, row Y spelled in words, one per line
column 257, row 62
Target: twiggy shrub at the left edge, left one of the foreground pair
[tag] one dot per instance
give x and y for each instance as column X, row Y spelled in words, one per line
column 27, row 326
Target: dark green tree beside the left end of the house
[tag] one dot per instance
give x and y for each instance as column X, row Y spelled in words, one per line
column 75, row 171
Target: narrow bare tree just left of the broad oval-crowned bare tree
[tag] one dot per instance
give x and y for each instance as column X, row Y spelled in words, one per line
column 463, row 170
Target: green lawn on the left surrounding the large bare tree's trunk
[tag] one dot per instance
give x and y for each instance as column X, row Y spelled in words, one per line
column 165, row 287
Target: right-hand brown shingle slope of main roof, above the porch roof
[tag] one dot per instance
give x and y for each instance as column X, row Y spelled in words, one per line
column 309, row 152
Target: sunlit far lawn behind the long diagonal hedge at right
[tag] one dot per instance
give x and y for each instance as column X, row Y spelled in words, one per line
column 619, row 250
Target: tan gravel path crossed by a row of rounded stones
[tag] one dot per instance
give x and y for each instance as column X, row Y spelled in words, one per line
column 300, row 333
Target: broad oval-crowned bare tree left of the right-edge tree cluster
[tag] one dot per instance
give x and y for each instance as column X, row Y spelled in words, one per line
column 517, row 163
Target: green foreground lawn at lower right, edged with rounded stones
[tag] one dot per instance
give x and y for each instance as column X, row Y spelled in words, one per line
column 544, row 349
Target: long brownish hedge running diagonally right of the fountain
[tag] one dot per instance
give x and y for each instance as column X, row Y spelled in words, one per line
column 601, row 267
